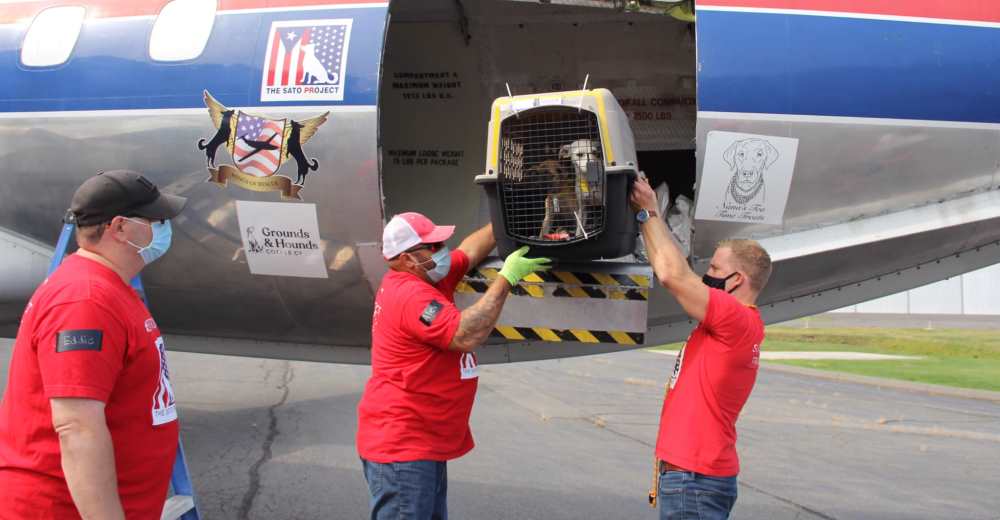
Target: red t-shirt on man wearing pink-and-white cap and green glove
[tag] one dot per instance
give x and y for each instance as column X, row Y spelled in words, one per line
column 417, row 403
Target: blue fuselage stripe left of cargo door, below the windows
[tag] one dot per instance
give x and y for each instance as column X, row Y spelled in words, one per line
column 110, row 68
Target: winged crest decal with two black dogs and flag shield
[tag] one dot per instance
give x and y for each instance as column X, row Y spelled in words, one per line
column 259, row 147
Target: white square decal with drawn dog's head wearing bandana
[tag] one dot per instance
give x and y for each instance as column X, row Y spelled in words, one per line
column 746, row 177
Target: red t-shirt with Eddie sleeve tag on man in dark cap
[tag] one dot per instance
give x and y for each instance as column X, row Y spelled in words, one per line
column 85, row 333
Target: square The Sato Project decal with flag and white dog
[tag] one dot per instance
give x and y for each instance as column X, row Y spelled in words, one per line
column 306, row 60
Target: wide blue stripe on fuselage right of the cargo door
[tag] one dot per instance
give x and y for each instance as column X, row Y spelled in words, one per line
column 820, row 65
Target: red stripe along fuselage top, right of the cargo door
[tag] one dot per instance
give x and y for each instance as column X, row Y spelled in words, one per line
column 965, row 10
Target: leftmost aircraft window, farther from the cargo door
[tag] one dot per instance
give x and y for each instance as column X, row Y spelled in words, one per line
column 52, row 36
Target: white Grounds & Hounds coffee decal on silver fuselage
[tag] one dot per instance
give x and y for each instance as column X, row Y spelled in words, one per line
column 281, row 239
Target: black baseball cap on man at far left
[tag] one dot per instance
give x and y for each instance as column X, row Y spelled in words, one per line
column 121, row 192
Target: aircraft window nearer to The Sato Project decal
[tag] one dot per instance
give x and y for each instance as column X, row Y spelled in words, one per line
column 182, row 29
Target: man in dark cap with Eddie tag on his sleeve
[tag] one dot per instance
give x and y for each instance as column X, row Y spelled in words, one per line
column 88, row 424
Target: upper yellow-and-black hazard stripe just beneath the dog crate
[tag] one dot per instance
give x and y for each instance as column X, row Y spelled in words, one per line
column 570, row 284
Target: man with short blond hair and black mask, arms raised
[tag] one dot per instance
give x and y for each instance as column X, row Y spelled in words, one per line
column 714, row 372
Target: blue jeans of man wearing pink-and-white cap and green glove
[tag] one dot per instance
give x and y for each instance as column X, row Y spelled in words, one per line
column 415, row 490
